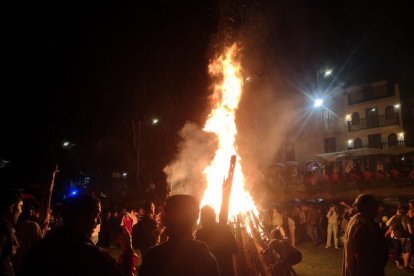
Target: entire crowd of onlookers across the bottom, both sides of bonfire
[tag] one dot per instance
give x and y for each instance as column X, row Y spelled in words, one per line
column 165, row 241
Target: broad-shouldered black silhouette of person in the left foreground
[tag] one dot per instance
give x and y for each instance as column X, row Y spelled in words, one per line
column 68, row 249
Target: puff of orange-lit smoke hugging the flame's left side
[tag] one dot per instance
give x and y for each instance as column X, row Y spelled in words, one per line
column 195, row 152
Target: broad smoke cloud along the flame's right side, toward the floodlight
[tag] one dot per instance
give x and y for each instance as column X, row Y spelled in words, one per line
column 265, row 119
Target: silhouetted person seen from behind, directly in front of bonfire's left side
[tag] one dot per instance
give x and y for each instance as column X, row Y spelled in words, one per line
column 181, row 254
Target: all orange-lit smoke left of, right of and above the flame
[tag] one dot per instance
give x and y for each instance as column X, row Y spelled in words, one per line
column 267, row 112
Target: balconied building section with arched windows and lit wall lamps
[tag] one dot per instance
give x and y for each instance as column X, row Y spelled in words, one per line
column 373, row 116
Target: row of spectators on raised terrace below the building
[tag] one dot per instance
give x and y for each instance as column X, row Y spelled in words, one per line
column 358, row 170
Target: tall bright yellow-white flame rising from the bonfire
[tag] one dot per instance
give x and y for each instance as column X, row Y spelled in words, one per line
column 221, row 121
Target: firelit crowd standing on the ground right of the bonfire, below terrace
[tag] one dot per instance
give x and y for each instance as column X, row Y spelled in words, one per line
column 328, row 224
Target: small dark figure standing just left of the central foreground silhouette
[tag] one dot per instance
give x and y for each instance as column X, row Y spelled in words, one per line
column 144, row 233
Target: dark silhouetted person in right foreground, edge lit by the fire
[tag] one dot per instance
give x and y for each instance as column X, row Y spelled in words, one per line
column 365, row 252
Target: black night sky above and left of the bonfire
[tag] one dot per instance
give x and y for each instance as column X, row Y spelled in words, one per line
column 84, row 72
